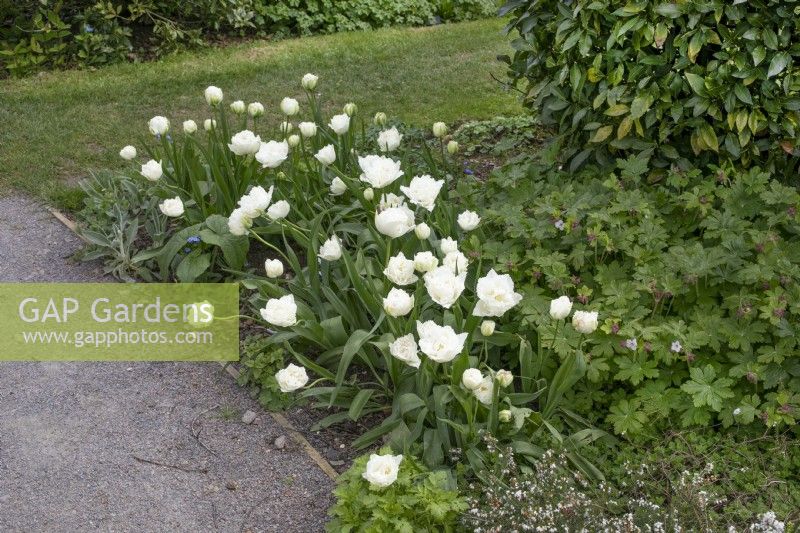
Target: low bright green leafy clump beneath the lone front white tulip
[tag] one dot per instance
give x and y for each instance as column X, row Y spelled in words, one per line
column 420, row 500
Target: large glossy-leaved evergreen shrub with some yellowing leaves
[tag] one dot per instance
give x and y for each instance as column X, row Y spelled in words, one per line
column 716, row 79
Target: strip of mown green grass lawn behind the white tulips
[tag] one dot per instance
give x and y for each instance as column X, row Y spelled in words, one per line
column 57, row 126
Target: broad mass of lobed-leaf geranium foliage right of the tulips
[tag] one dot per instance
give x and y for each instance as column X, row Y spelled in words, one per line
column 696, row 280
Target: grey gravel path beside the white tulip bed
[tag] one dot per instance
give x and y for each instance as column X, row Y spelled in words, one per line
column 135, row 446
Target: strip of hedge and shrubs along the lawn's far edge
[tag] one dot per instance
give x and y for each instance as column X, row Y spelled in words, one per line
column 48, row 33
